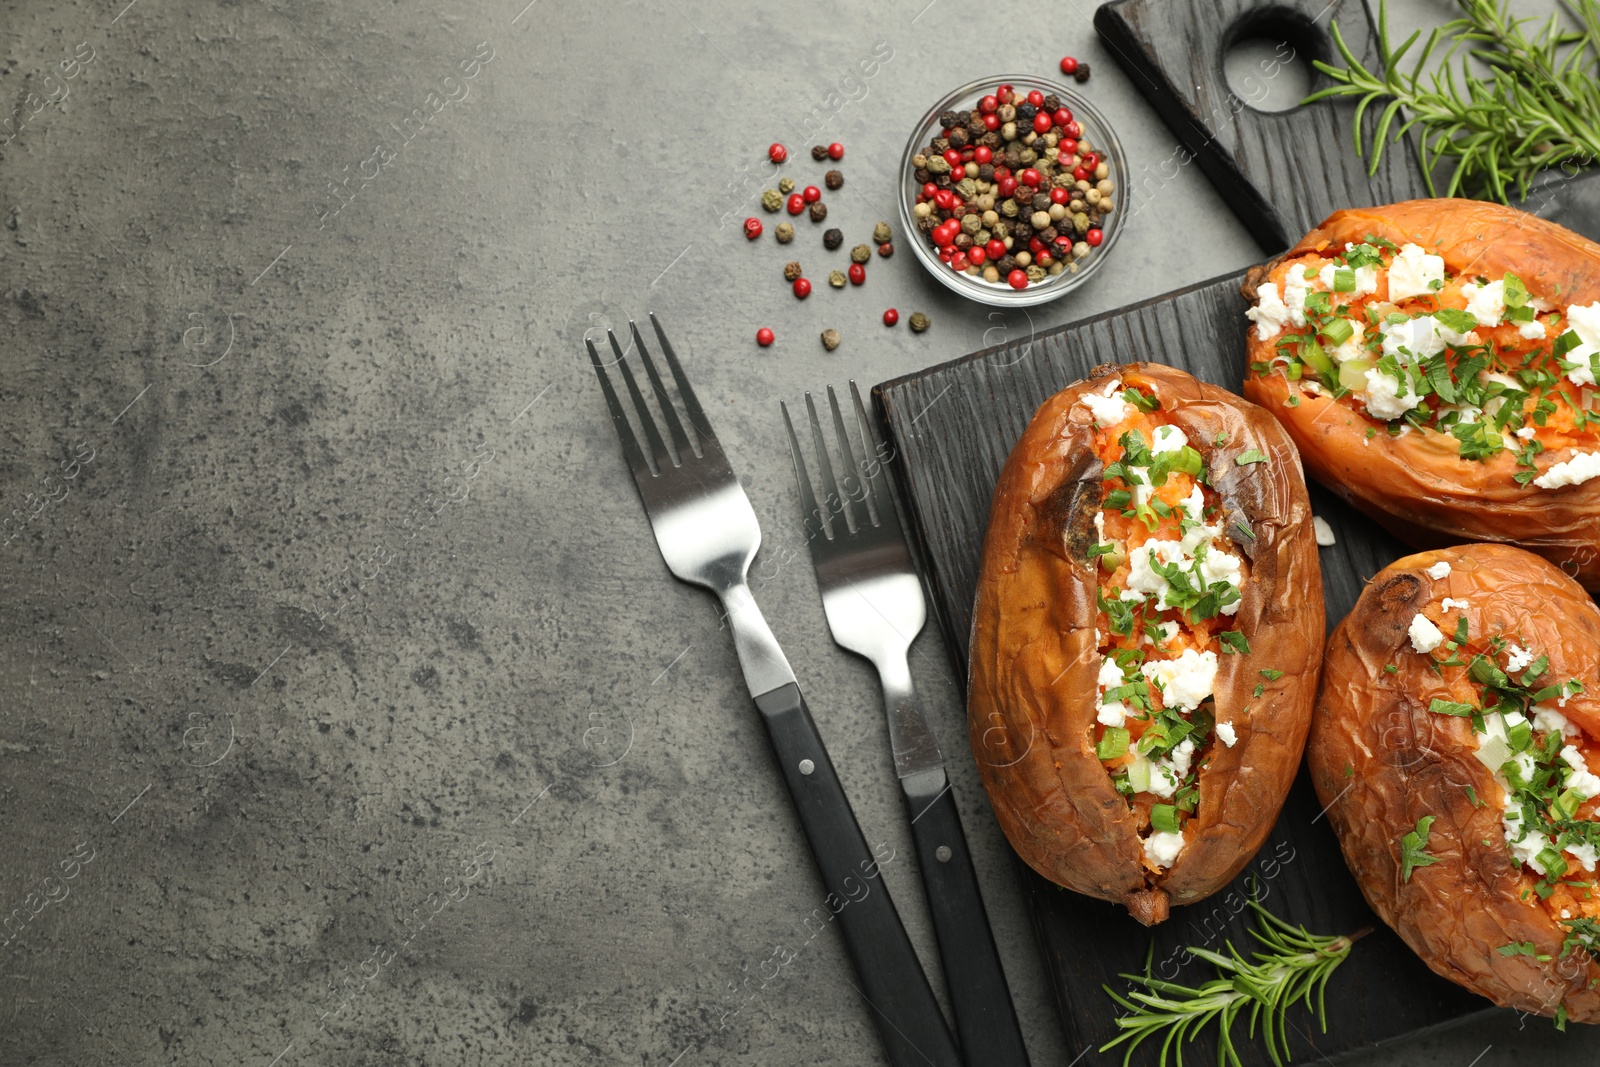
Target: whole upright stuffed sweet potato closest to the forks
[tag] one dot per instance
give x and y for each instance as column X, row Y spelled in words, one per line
column 1146, row 637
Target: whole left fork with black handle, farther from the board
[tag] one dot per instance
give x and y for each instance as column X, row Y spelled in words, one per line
column 708, row 535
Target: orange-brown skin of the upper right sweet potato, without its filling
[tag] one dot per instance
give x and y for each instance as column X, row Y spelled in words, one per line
column 1415, row 484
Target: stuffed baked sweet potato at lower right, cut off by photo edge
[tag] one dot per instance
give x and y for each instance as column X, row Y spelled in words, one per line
column 1454, row 746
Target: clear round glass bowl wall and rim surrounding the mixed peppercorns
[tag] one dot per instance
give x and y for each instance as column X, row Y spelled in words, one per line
column 1102, row 138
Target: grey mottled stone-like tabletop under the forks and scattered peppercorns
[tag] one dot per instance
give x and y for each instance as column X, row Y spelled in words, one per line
column 350, row 714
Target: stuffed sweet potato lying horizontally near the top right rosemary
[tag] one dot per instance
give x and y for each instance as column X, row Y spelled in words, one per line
column 1436, row 362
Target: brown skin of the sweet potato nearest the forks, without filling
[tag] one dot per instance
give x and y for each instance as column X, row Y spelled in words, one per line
column 1034, row 655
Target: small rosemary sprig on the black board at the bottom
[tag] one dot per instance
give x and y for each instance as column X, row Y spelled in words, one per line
column 1294, row 969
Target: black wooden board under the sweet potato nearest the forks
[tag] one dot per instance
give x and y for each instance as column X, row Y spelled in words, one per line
column 953, row 428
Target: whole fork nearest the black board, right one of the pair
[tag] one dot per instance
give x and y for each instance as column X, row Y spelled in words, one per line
column 874, row 607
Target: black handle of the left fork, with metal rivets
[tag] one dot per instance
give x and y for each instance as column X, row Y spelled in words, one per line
column 894, row 985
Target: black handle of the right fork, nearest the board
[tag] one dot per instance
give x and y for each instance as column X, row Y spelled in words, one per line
column 985, row 1017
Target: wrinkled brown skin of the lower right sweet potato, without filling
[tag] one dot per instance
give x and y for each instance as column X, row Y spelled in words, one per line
column 1380, row 761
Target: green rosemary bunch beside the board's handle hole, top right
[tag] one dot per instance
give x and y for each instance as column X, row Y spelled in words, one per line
column 1538, row 108
